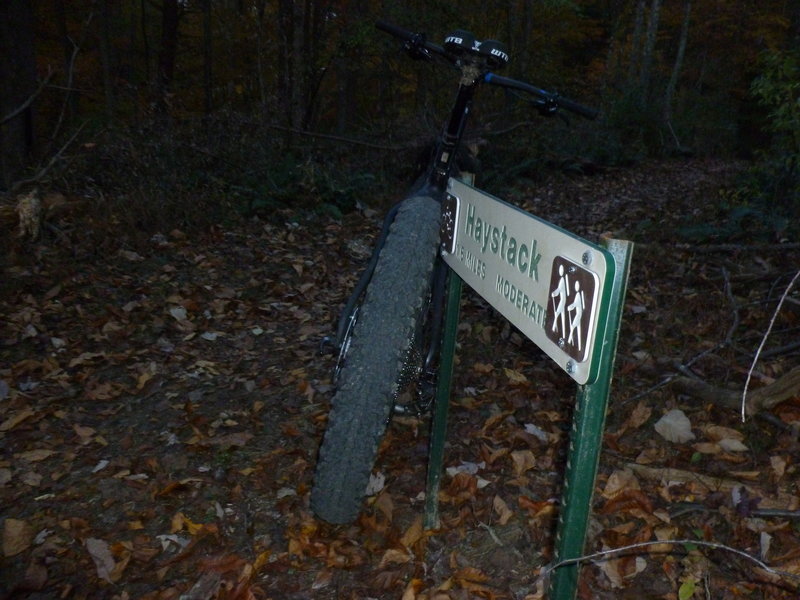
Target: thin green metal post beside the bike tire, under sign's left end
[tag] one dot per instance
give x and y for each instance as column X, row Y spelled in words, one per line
column 442, row 400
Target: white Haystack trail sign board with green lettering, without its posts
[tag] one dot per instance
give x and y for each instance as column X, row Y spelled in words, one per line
column 551, row 284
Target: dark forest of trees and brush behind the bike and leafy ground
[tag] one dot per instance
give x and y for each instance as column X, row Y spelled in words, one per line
column 205, row 109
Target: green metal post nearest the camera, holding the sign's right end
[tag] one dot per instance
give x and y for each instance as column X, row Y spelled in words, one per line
column 586, row 438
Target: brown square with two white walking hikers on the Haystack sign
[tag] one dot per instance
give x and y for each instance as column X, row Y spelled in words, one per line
column 571, row 297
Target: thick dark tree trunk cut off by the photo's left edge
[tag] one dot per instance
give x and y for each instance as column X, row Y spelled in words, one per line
column 17, row 85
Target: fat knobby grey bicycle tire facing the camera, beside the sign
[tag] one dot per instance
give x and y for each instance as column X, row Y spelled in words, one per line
column 377, row 361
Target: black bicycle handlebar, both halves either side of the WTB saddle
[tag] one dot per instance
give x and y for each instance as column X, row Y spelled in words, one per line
column 419, row 47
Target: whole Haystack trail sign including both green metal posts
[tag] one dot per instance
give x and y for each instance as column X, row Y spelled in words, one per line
column 567, row 296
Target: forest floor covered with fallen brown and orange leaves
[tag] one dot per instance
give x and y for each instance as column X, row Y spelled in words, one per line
column 161, row 407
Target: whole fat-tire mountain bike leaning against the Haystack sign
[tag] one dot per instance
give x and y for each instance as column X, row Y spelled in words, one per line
column 389, row 333
